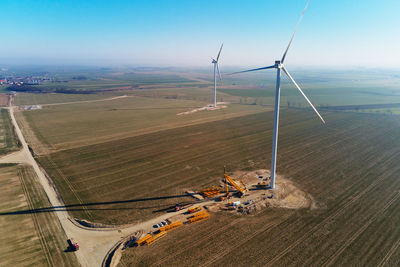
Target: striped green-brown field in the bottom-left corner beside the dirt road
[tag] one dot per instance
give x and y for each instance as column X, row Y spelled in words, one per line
column 28, row 239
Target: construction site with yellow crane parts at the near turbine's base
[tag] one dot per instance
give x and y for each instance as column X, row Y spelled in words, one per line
column 246, row 194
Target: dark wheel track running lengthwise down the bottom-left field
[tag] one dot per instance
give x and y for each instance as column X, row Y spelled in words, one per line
column 36, row 223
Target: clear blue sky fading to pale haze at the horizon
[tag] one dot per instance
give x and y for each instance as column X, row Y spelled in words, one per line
column 333, row 32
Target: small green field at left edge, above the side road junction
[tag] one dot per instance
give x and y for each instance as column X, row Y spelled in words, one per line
column 7, row 141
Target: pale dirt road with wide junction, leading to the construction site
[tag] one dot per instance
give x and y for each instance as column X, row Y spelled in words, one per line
column 94, row 243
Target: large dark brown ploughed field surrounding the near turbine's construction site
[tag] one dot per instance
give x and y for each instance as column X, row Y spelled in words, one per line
column 349, row 166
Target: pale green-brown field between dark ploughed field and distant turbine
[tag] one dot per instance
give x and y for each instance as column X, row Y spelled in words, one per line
column 76, row 125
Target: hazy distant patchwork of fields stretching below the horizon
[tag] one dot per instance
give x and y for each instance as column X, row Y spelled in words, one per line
column 324, row 87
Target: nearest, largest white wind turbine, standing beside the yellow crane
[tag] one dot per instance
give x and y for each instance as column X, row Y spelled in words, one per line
column 279, row 66
